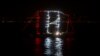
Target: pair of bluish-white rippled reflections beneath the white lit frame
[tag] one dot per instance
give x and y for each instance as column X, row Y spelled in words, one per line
column 53, row 47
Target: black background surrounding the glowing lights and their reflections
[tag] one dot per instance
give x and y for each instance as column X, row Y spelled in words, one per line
column 87, row 34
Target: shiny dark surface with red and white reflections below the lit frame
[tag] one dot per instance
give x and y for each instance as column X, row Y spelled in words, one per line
column 50, row 47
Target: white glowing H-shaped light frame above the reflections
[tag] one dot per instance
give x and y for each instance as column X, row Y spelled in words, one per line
column 55, row 22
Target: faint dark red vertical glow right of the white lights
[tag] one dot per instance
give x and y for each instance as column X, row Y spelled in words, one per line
column 69, row 37
